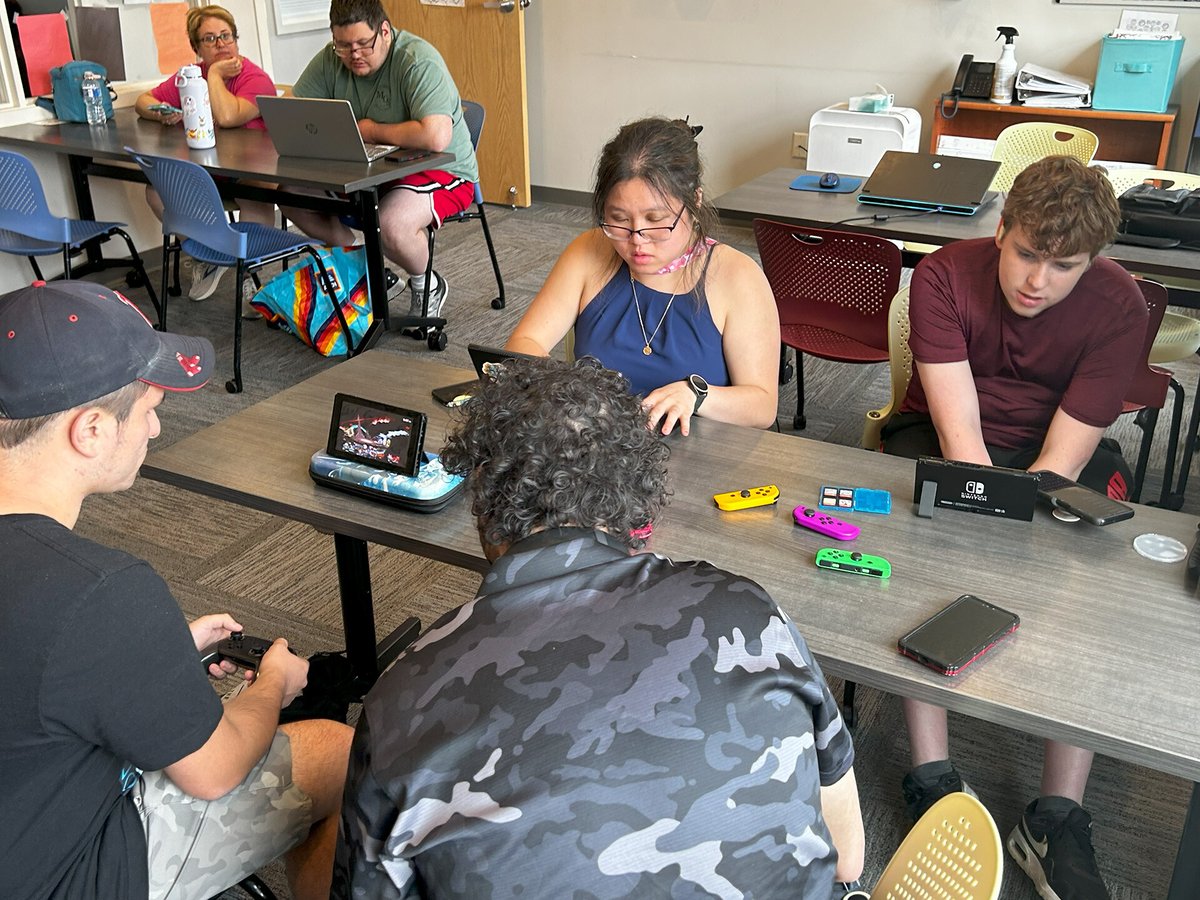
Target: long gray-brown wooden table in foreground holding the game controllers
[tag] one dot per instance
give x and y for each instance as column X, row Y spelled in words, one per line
column 1106, row 657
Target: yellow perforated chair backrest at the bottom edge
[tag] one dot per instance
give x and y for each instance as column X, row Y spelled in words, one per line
column 953, row 851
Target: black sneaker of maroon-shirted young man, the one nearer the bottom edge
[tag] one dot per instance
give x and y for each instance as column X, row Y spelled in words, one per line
column 1053, row 844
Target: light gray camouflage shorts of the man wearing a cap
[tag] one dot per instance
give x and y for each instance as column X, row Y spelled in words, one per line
column 197, row 849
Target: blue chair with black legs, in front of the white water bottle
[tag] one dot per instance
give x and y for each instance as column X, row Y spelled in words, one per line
column 193, row 211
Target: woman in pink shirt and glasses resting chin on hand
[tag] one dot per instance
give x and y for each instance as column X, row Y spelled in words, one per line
column 235, row 85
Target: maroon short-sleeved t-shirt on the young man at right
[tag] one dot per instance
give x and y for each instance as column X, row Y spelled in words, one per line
column 1079, row 355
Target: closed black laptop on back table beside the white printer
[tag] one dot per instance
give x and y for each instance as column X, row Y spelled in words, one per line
column 938, row 184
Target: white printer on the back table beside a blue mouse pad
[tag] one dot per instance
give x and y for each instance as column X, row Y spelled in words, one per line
column 851, row 143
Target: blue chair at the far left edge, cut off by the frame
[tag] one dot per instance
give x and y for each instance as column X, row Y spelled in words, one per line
column 28, row 229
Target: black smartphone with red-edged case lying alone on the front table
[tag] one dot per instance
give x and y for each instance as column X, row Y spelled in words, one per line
column 953, row 639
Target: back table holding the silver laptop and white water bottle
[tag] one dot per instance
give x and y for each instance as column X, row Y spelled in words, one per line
column 239, row 155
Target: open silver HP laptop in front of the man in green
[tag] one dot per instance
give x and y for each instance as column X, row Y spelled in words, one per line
column 317, row 130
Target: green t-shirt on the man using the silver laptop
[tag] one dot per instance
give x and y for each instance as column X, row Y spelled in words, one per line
column 413, row 83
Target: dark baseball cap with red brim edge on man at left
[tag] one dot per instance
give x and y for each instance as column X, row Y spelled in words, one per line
column 67, row 343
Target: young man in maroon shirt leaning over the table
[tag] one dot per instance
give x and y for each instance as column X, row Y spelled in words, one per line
column 1024, row 347
